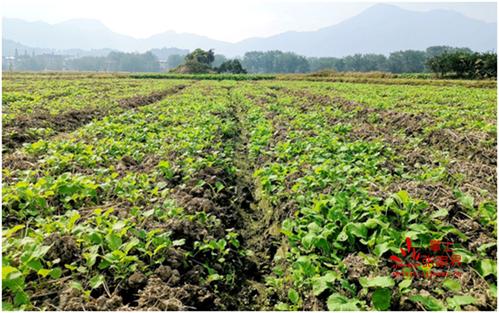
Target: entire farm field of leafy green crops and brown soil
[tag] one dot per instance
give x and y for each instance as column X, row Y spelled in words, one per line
column 270, row 193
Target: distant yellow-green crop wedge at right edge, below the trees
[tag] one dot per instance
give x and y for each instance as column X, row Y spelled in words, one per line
column 471, row 109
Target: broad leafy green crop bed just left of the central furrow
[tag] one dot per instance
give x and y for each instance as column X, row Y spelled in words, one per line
column 100, row 204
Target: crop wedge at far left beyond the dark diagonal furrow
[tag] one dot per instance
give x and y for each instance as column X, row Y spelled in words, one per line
column 39, row 108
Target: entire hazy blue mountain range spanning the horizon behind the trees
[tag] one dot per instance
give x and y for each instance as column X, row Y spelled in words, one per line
column 379, row 29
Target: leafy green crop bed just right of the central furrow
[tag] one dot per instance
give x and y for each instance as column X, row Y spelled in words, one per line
column 338, row 223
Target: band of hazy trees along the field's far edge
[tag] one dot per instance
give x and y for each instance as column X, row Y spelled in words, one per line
column 444, row 61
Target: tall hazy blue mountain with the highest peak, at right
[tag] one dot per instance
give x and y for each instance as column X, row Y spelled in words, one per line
column 383, row 29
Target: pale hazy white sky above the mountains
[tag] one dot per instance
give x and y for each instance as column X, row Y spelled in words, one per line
column 229, row 20
